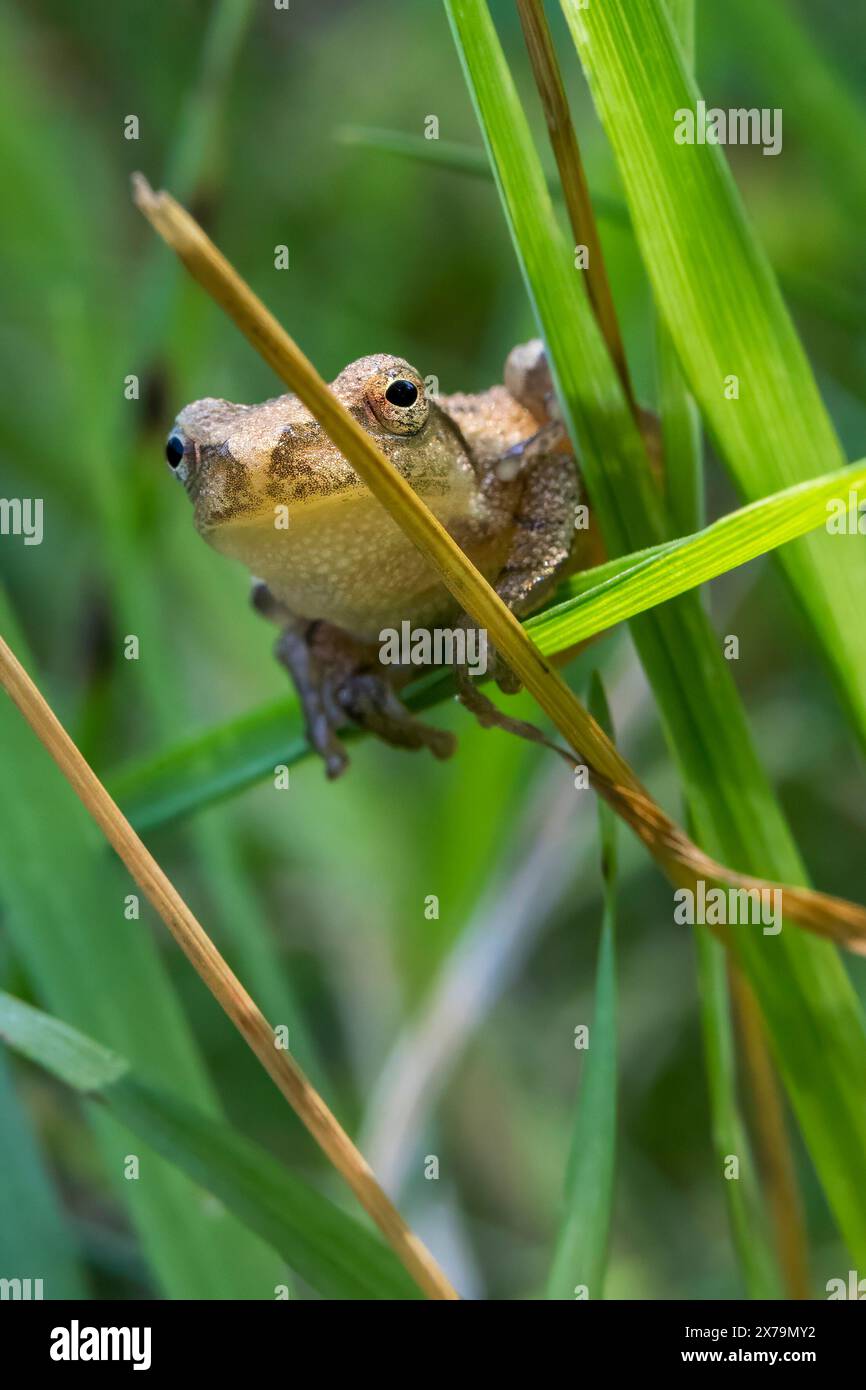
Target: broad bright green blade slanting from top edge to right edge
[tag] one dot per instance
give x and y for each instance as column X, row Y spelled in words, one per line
column 719, row 298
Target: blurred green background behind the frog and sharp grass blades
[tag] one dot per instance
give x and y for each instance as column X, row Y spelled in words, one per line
column 448, row 1038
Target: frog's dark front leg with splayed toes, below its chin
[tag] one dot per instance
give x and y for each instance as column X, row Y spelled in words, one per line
column 341, row 680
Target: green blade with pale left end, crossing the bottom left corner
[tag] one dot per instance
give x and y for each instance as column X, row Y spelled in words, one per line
column 330, row 1250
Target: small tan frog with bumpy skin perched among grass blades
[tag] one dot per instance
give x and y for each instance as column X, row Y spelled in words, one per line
column 496, row 468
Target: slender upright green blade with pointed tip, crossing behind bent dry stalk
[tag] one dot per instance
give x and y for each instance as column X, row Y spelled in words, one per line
column 582, row 1243
